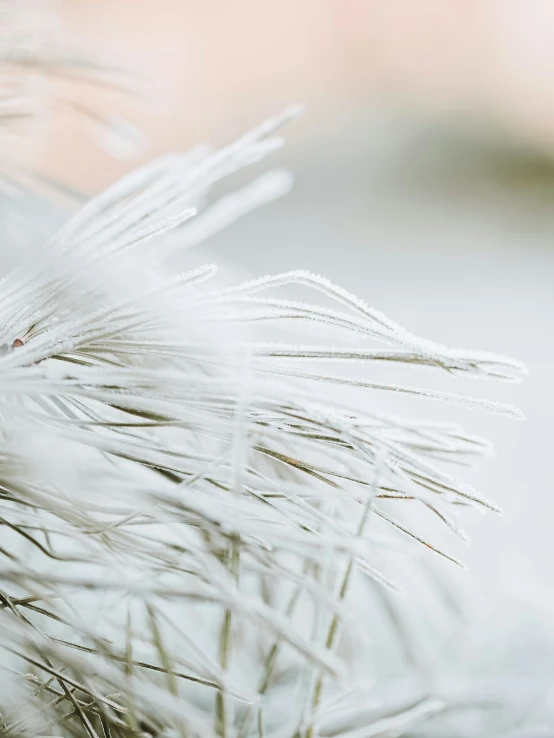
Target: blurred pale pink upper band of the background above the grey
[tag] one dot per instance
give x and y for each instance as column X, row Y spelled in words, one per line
column 217, row 67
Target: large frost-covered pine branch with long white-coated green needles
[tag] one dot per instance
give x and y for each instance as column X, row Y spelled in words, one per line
column 187, row 505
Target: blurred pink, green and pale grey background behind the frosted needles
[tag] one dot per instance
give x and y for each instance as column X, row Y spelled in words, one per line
column 424, row 183
